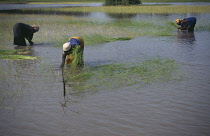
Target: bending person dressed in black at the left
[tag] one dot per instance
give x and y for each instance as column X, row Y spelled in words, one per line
column 22, row 31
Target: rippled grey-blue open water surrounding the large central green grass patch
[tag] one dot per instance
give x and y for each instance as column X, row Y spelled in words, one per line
column 36, row 105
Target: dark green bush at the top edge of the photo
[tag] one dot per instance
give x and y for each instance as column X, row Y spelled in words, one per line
column 122, row 2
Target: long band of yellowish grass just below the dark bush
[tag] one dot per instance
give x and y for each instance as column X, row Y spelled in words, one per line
column 138, row 9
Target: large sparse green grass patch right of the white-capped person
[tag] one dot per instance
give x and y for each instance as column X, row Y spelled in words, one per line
column 112, row 76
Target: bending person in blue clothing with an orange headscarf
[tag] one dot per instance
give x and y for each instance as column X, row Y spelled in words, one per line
column 186, row 24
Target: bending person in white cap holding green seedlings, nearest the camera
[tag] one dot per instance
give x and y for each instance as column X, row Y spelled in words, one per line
column 68, row 48
